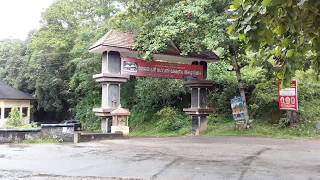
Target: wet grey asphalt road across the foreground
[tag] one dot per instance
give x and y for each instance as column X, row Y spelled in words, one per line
column 165, row 158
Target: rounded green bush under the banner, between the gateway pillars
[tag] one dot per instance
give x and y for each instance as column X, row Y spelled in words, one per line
column 169, row 119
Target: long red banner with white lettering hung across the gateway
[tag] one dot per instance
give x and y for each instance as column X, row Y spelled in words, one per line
column 155, row 69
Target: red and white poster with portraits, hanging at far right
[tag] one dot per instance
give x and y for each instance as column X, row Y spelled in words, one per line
column 288, row 97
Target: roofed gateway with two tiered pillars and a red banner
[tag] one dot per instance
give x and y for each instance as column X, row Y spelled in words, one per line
column 120, row 61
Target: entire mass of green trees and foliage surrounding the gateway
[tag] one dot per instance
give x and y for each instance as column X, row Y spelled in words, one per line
column 54, row 63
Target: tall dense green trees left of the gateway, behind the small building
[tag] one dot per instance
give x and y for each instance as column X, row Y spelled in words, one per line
column 54, row 63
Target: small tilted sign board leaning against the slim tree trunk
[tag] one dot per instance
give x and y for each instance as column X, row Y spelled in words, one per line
column 237, row 106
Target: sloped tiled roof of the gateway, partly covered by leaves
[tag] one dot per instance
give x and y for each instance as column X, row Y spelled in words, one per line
column 126, row 40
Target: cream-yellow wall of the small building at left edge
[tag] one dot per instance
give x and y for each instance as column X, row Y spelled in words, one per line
column 14, row 104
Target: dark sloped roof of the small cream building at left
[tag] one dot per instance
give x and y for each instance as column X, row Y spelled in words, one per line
column 10, row 93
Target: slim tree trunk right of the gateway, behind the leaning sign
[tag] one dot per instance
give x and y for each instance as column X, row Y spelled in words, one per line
column 241, row 88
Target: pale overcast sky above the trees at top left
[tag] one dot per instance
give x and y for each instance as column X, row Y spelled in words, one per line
column 18, row 17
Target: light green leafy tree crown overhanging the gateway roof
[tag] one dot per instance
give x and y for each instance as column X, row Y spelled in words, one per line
column 193, row 26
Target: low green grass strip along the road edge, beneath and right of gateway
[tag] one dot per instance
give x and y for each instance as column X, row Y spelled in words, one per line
column 221, row 126
